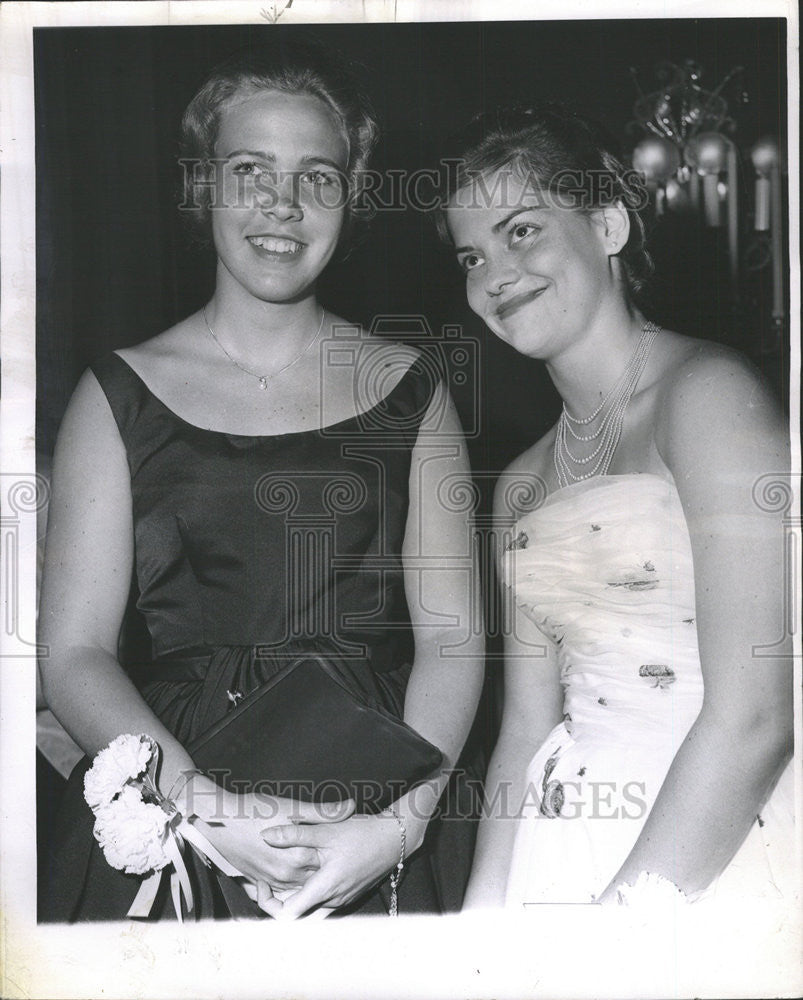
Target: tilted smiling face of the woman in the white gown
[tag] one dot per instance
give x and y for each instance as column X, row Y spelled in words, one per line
column 536, row 272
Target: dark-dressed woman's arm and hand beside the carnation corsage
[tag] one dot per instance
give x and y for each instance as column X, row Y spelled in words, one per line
column 87, row 575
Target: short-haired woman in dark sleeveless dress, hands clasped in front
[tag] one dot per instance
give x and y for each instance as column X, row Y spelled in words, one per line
column 194, row 457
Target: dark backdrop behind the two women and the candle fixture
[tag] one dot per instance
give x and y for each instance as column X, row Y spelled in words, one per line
column 114, row 268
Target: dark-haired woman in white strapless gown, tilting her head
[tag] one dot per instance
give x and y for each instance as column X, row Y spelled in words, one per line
column 648, row 702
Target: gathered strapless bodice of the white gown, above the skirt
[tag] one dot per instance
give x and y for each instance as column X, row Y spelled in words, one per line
column 605, row 570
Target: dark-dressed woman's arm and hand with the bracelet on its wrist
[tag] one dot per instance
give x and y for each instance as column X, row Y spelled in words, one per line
column 446, row 678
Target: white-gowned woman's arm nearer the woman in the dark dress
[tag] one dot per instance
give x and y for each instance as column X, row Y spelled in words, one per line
column 533, row 707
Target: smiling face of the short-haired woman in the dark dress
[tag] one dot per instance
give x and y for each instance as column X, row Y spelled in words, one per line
column 280, row 204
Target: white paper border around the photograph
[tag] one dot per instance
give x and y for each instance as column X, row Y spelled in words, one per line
column 557, row 951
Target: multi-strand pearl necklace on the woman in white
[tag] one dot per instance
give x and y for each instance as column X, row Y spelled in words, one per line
column 610, row 426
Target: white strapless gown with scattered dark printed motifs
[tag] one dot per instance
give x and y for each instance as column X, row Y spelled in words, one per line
column 604, row 569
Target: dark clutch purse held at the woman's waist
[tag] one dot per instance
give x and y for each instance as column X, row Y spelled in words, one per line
column 306, row 735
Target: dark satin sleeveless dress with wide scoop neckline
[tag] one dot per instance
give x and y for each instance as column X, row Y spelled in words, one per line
column 248, row 551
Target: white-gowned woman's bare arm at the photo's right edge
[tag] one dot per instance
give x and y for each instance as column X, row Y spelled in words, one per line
column 718, row 432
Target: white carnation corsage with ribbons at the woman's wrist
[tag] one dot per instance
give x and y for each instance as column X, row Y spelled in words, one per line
column 140, row 830
